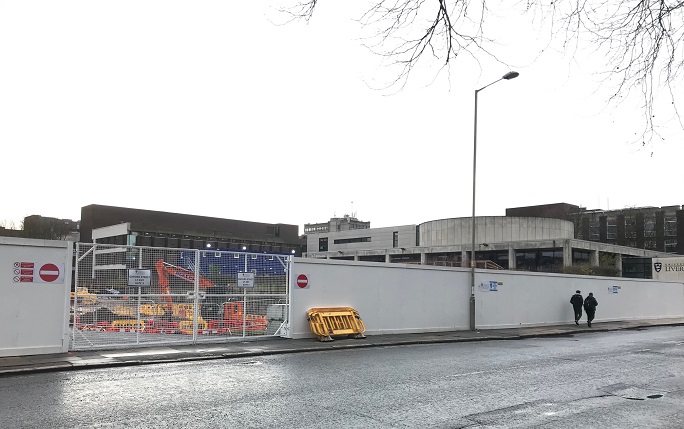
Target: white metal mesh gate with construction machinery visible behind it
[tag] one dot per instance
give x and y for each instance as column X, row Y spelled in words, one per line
column 134, row 296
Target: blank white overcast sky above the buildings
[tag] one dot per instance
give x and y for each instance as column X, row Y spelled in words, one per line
column 212, row 108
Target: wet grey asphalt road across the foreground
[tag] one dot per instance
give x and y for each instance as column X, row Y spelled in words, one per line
column 623, row 379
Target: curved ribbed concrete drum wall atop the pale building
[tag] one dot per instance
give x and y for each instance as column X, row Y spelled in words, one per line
column 493, row 229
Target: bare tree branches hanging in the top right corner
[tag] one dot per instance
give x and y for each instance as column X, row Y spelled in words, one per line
column 641, row 41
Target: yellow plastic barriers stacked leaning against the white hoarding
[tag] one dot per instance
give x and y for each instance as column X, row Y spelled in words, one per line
column 328, row 321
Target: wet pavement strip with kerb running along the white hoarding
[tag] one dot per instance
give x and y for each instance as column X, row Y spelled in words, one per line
column 81, row 360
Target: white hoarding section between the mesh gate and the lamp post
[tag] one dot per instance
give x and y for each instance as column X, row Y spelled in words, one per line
column 391, row 298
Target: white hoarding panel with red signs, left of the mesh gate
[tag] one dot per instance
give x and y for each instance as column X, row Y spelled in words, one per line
column 34, row 312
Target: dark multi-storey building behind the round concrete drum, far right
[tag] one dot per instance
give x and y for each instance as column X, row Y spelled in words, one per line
column 654, row 228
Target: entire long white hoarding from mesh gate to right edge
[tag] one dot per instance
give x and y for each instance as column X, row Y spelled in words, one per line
column 399, row 298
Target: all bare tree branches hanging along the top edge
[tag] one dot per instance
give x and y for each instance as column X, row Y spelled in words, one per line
column 642, row 40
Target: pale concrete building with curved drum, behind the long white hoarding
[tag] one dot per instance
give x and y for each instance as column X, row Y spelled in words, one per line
column 523, row 243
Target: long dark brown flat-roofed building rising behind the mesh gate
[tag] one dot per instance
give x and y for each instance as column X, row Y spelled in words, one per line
column 134, row 227
